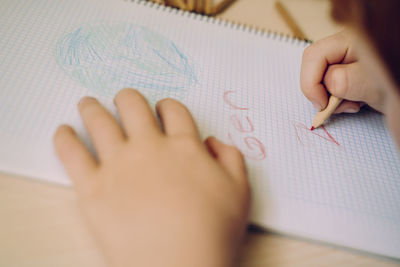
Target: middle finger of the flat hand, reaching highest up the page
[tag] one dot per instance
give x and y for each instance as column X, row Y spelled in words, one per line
column 135, row 113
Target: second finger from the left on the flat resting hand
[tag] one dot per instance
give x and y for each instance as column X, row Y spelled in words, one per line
column 102, row 127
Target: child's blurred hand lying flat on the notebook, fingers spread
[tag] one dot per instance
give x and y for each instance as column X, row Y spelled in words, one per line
column 156, row 197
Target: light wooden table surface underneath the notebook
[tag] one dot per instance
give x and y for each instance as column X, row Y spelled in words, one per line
column 40, row 223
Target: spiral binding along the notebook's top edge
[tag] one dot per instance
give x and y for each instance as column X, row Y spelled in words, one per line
column 252, row 29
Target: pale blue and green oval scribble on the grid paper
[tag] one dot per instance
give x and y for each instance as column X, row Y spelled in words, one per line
column 107, row 58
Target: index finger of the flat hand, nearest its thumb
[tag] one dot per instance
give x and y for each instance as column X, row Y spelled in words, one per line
column 176, row 118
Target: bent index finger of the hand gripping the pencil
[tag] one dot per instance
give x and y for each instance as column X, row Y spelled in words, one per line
column 316, row 58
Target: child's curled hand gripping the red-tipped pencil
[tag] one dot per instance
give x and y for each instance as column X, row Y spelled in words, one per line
column 331, row 66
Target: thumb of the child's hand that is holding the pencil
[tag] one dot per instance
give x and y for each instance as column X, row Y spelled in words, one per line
column 348, row 81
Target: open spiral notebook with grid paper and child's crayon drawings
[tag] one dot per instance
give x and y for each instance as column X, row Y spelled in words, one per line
column 339, row 184
